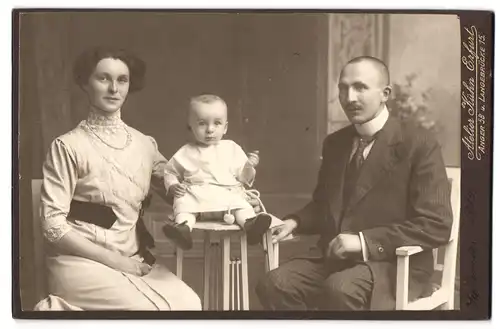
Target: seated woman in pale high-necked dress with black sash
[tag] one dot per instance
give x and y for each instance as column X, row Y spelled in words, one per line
column 95, row 179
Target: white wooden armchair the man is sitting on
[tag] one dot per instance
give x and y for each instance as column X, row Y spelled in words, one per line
column 442, row 297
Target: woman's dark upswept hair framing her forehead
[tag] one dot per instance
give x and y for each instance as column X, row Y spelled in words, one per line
column 87, row 61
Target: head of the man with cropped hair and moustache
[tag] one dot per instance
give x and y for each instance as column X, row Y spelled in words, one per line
column 363, row 91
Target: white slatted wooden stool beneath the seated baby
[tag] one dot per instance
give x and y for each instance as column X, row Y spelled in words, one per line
column 234, row 271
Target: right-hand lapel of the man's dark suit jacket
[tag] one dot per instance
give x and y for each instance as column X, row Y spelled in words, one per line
column 382, row 158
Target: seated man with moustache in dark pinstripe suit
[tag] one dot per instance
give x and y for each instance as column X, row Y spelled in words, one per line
column 382, row 185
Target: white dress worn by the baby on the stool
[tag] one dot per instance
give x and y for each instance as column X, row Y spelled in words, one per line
column 214, row 176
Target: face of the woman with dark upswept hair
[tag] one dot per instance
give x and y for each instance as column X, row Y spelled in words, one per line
column 108, row 85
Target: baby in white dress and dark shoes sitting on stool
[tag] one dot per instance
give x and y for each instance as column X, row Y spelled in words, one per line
column 208, row 175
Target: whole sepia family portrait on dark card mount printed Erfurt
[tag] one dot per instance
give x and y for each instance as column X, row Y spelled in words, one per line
column 252, row 161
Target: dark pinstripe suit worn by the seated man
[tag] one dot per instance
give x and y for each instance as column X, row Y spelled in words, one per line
column 402, row 198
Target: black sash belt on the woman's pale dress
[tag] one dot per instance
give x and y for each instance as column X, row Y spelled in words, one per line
column 104, row 216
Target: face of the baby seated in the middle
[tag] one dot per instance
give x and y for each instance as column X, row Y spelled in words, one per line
column 208, row 122
